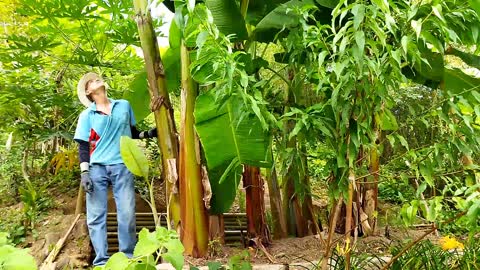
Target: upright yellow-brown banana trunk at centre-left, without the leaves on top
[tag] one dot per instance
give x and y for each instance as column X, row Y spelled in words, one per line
column 194, row 215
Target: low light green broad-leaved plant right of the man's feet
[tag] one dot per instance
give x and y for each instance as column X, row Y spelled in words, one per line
column 151, row 246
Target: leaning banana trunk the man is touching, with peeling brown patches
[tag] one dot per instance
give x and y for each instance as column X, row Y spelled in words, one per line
column 164, row 120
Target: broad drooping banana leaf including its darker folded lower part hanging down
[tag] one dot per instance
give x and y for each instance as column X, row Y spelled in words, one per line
column 228, row 141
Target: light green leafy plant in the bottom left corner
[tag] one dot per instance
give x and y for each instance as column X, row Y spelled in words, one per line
column 12, row 258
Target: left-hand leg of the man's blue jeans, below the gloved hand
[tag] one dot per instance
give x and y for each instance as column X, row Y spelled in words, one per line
column 97, row 213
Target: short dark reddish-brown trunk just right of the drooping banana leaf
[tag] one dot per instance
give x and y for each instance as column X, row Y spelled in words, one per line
column 254, row 193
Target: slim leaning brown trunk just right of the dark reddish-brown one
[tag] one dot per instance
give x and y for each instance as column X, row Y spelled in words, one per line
column 279, row 224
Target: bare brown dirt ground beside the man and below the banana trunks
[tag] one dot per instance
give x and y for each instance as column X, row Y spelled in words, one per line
column 289, row 250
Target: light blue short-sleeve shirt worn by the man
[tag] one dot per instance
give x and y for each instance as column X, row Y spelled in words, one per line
column 103, row 131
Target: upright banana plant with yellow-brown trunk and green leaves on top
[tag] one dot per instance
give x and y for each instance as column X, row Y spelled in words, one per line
column 193, row 180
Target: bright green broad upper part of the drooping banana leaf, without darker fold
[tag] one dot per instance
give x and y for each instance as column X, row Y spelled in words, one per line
column 226, row 137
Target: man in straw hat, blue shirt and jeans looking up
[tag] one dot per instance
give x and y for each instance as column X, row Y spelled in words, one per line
column 98, row 133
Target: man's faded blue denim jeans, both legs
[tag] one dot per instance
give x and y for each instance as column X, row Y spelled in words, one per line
column 121, row 180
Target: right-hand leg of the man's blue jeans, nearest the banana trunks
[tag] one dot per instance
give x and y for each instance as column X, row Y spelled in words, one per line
column 124, row 194
